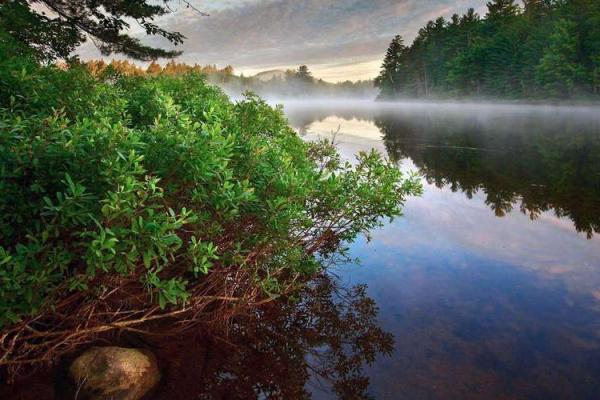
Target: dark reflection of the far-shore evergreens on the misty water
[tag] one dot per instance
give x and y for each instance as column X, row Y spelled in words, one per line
column 537, row 164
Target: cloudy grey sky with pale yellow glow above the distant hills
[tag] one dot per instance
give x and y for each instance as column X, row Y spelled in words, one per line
column 337, row 39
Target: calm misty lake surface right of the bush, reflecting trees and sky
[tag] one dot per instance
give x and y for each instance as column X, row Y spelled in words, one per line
column 490, row 283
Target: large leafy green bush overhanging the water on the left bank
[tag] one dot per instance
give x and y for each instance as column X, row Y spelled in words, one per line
column 155, row 184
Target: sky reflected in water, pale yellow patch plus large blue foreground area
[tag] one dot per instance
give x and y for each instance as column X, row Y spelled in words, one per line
column 481, row 307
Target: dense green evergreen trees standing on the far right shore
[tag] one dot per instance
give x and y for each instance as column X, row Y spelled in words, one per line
column 541, row 49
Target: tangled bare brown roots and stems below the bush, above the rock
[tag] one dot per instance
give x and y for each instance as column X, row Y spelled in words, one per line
column 123, row 306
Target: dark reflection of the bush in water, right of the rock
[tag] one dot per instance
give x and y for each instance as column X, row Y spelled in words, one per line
column 327, row 332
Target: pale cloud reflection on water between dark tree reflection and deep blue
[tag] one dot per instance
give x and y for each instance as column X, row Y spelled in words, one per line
column 443, row 223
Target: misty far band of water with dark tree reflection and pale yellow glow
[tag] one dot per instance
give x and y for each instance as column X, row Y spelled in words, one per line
column 526, row 158
